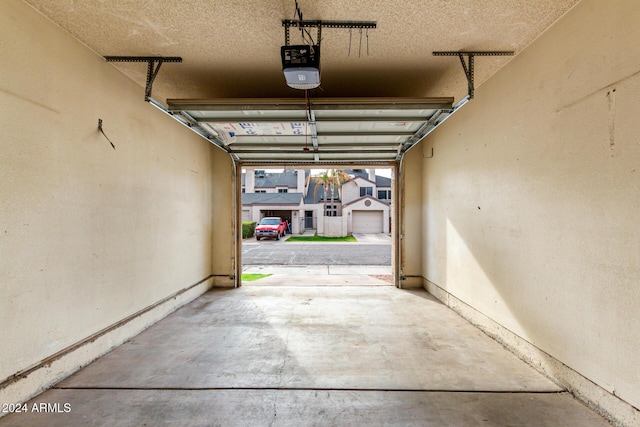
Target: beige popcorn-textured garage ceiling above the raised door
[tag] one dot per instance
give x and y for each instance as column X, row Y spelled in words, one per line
column 231, row 48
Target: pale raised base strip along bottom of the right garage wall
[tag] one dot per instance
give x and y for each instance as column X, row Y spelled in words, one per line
column 614, row 409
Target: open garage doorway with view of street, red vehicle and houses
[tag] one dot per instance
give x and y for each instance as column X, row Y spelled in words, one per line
column 339, row 233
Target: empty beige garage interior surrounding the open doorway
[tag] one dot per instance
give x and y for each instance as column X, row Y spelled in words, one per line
column 518, row 196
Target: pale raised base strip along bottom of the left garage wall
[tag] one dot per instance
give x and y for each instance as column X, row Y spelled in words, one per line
column 32, row 381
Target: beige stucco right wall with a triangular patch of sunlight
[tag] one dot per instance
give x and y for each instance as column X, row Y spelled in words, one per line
column 531, row 201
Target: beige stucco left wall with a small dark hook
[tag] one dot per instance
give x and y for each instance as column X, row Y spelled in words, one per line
column 88, row 235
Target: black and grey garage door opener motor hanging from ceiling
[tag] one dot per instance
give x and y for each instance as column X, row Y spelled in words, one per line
column 301, row 66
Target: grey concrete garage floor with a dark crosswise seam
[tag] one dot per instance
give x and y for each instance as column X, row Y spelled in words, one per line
column 310, row 355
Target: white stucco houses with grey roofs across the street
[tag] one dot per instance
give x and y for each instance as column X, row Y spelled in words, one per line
column 363, row 205
